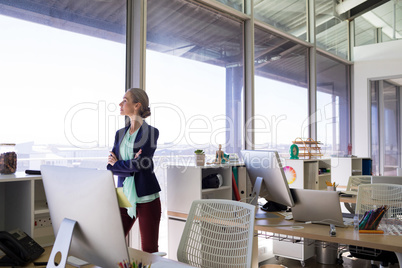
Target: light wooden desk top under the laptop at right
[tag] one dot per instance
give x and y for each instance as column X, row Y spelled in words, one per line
column 320, row 232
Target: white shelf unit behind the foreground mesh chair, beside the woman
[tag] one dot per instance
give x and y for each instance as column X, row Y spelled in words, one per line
column 184, row 185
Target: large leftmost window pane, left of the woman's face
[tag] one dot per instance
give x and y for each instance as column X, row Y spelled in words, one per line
column 63, row 74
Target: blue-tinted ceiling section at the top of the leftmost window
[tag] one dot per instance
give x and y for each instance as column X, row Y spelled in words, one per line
column 103, row 19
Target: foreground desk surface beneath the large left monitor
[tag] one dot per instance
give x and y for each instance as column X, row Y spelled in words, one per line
column 145, row 257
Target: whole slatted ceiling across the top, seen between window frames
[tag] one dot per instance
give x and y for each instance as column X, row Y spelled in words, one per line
column 181, row 28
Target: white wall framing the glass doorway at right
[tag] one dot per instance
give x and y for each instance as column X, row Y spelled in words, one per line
column 377, row 61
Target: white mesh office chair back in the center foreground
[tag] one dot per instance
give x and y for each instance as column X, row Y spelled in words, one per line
column 218, row 233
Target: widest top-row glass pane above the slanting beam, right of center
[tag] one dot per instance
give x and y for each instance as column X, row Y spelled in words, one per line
column 286, row 15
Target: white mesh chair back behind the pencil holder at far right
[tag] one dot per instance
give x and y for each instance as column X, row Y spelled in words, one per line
column 373, row 196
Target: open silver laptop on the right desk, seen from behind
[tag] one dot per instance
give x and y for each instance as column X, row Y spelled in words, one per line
column 317, row 206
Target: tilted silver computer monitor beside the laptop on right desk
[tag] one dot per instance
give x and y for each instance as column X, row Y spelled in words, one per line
column 267, row 164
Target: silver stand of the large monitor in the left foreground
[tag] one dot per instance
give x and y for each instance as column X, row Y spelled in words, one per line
column 62, row 243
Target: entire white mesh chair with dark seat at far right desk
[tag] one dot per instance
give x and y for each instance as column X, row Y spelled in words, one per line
column 372, row 196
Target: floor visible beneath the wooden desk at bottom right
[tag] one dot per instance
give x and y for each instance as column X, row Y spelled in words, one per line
column 348, row 262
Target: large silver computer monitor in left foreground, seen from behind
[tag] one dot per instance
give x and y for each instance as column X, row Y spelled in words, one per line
column 87, row 197
